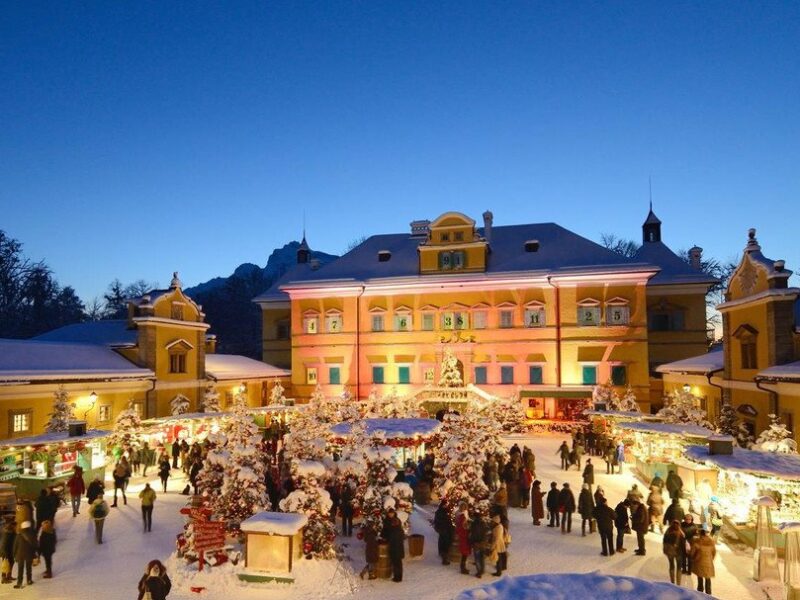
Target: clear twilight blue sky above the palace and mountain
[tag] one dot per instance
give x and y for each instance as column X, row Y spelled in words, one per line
column 140, row 138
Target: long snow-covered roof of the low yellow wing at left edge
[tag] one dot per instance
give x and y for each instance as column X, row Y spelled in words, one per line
column 29, row 360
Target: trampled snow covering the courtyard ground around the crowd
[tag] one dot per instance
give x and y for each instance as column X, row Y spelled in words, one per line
column 111, row 571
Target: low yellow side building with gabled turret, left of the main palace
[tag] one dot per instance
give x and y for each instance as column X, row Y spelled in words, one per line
column 159, row 352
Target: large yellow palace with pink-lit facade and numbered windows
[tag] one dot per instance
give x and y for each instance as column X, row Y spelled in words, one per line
column 534, row 309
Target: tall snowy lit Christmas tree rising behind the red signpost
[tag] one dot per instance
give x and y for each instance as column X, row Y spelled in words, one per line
column 243, row 492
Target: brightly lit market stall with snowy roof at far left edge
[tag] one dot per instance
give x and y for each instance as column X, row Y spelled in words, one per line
column 45, row 461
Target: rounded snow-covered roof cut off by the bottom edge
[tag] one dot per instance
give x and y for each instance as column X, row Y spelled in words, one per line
column 596, row 585
